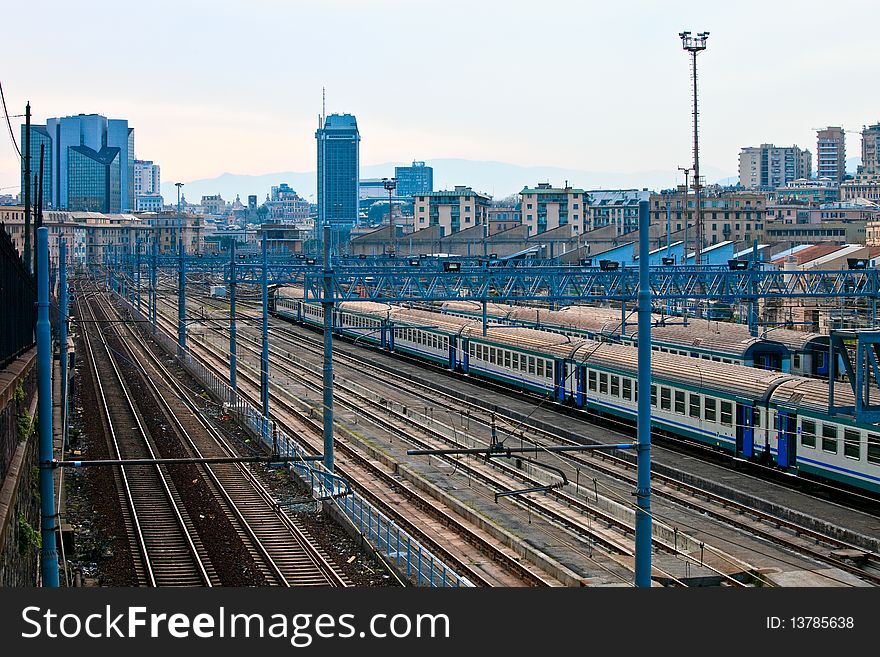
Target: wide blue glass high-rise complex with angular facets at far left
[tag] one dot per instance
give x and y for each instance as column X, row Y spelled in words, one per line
column 91, row 141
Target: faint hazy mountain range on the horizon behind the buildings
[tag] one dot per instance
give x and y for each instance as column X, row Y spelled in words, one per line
column 500, row 179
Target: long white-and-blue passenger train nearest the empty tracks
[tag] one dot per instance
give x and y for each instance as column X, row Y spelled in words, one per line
column 777, row 418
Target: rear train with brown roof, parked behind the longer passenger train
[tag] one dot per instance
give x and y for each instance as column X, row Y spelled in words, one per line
column 779, row 349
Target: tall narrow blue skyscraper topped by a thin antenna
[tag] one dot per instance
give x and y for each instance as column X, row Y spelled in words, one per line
column 338, row 171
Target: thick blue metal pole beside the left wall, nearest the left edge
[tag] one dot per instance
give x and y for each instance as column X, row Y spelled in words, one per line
column 49, row 556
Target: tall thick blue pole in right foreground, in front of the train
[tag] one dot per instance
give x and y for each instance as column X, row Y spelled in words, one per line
column 643, row 493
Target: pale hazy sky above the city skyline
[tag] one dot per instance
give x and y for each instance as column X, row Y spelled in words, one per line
column 213, row 87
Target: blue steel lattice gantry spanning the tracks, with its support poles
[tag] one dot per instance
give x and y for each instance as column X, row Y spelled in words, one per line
column 437, row 279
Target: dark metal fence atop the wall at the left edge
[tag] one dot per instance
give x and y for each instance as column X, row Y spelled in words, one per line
column 18, row 302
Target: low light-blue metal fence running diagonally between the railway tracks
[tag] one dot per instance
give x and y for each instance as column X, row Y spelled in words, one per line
column 383, row 534
